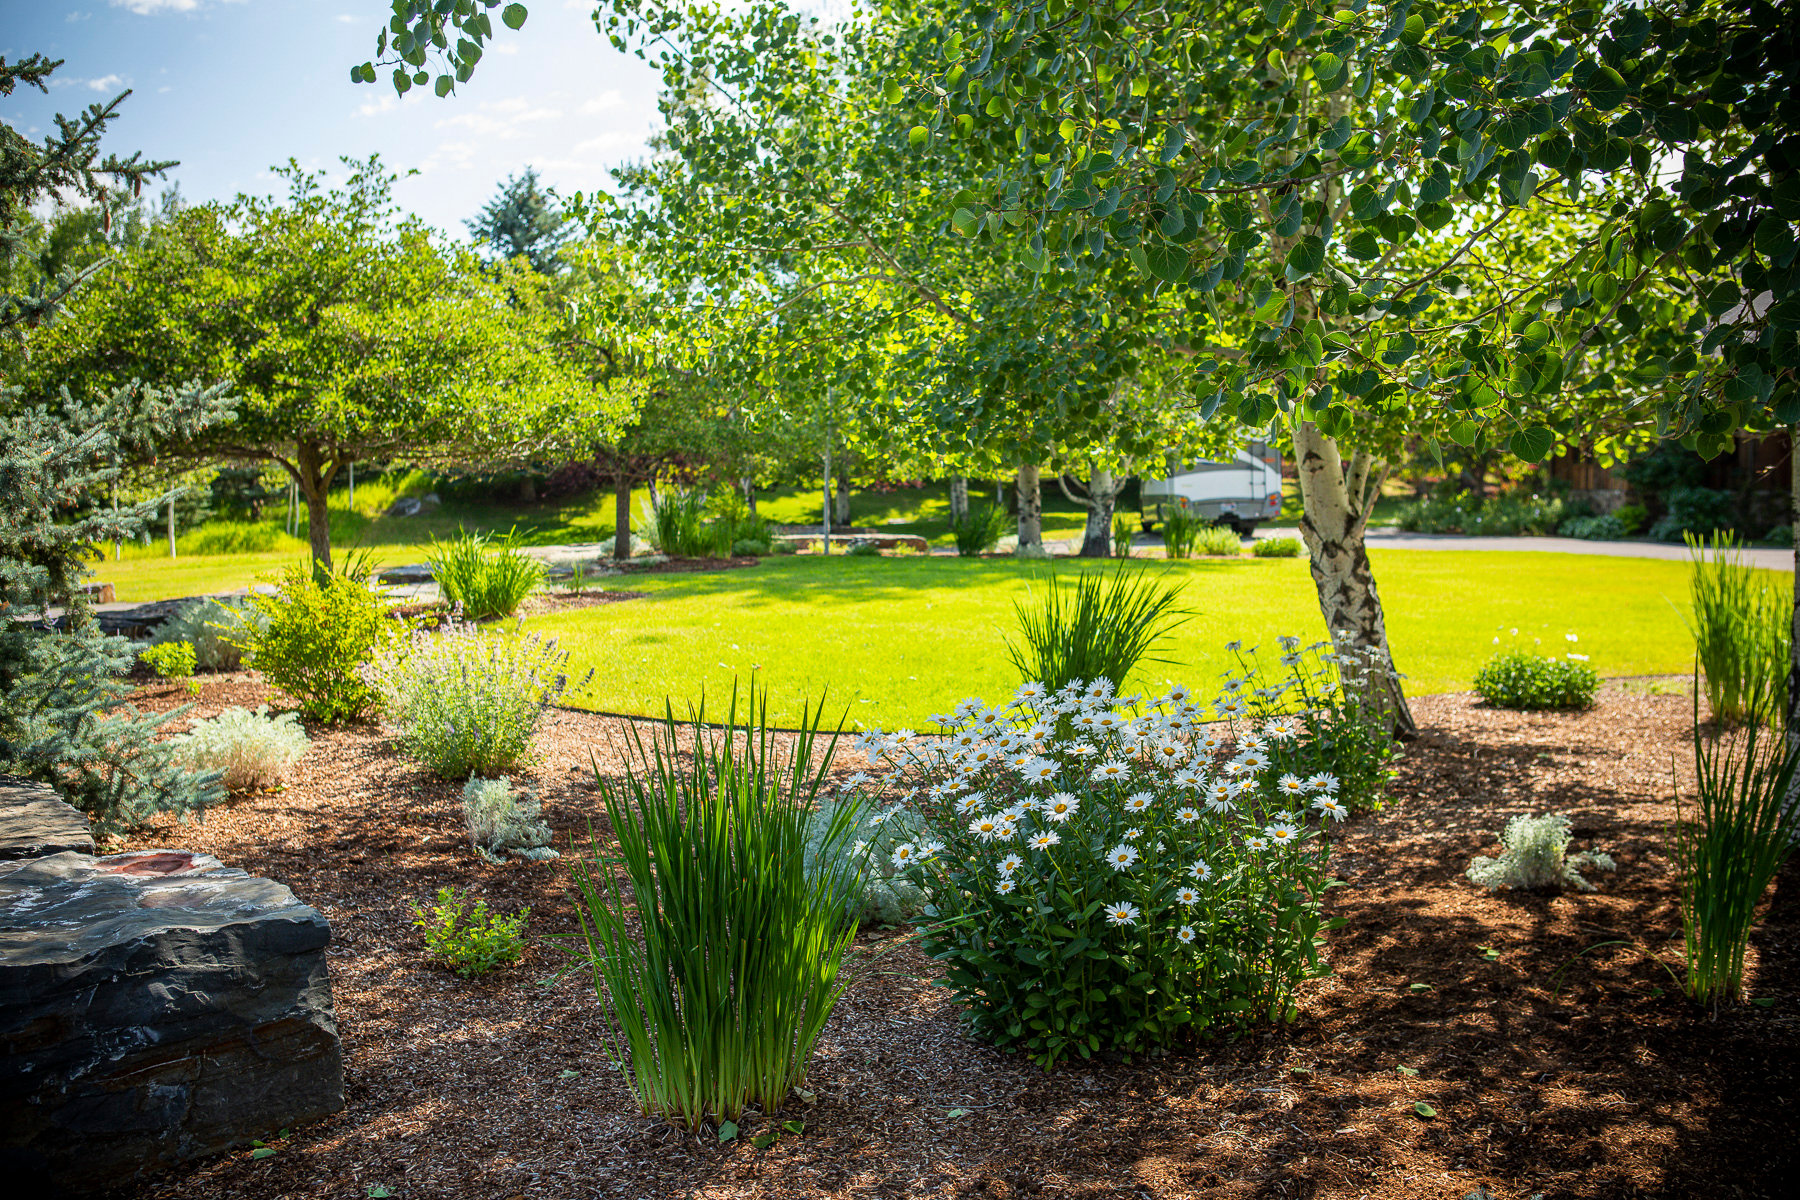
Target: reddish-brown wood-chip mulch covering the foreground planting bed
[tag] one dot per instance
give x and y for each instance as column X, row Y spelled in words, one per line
column 1554, row 1073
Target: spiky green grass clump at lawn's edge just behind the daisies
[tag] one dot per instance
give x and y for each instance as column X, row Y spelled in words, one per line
column 1101, row 625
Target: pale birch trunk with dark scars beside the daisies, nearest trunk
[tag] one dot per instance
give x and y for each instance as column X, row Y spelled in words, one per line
column 1336, row 515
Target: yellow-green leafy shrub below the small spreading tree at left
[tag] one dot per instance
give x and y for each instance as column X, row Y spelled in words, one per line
column 312, row 640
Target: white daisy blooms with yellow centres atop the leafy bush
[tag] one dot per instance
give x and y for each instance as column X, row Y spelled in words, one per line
column 1101, row 757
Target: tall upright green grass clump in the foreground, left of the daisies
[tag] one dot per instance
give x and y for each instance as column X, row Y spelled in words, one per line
column 719, row 954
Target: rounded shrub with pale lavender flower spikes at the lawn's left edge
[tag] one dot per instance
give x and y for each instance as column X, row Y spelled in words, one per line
column 469, row 703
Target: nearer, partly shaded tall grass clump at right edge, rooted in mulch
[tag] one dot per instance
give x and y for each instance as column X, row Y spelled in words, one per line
column 1731, row 843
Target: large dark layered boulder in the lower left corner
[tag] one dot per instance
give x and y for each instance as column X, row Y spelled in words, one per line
column 154, row 1008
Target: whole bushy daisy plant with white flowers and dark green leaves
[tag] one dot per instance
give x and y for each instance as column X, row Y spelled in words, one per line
column 1128, row 886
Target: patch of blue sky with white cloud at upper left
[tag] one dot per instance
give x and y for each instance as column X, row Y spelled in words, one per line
column 235, row 87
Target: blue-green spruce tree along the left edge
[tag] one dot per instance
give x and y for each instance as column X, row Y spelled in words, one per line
column 60, row 694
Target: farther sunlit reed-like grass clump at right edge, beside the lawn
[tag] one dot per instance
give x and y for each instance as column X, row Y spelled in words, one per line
column 1743, row 627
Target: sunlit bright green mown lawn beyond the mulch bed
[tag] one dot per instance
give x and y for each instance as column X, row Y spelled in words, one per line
column 897, row 640
